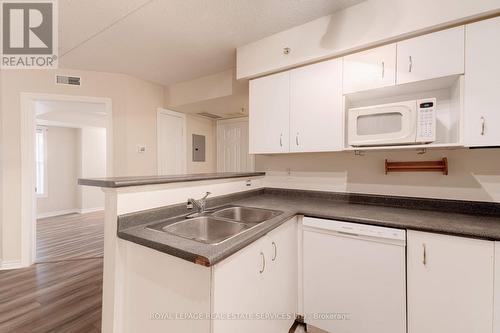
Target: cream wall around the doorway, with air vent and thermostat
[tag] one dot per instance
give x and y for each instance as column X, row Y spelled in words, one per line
column 134, row 104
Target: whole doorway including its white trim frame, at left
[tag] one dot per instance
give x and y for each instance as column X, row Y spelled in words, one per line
column 54, row 128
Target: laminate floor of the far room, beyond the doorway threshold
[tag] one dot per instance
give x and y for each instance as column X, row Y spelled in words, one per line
column 72, row 236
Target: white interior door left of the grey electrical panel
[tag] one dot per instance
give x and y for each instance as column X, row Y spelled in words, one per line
column 171, row 134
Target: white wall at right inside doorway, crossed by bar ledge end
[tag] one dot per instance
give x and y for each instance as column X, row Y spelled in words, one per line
column 92, row 164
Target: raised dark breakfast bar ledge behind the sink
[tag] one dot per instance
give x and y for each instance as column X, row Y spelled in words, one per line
column 114, row 182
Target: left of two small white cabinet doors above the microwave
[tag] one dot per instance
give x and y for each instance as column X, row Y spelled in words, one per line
column 375, row 68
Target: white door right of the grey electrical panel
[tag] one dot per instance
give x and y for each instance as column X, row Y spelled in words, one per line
column 232, row 146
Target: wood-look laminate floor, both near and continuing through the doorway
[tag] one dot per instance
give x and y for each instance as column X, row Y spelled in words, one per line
column 62, row 292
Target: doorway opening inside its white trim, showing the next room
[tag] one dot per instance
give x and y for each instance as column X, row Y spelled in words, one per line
column 70, row 143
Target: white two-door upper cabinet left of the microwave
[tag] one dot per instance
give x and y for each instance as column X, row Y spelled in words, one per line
column 297, row 111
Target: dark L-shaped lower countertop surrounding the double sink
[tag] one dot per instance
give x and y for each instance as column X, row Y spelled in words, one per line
column 460, row 218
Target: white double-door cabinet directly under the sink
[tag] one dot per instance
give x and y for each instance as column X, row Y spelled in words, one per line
column 255, row 290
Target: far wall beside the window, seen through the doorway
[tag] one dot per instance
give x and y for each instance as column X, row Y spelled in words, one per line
column 62, row 152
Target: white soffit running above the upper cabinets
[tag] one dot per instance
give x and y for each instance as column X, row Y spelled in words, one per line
column 369, row 23
